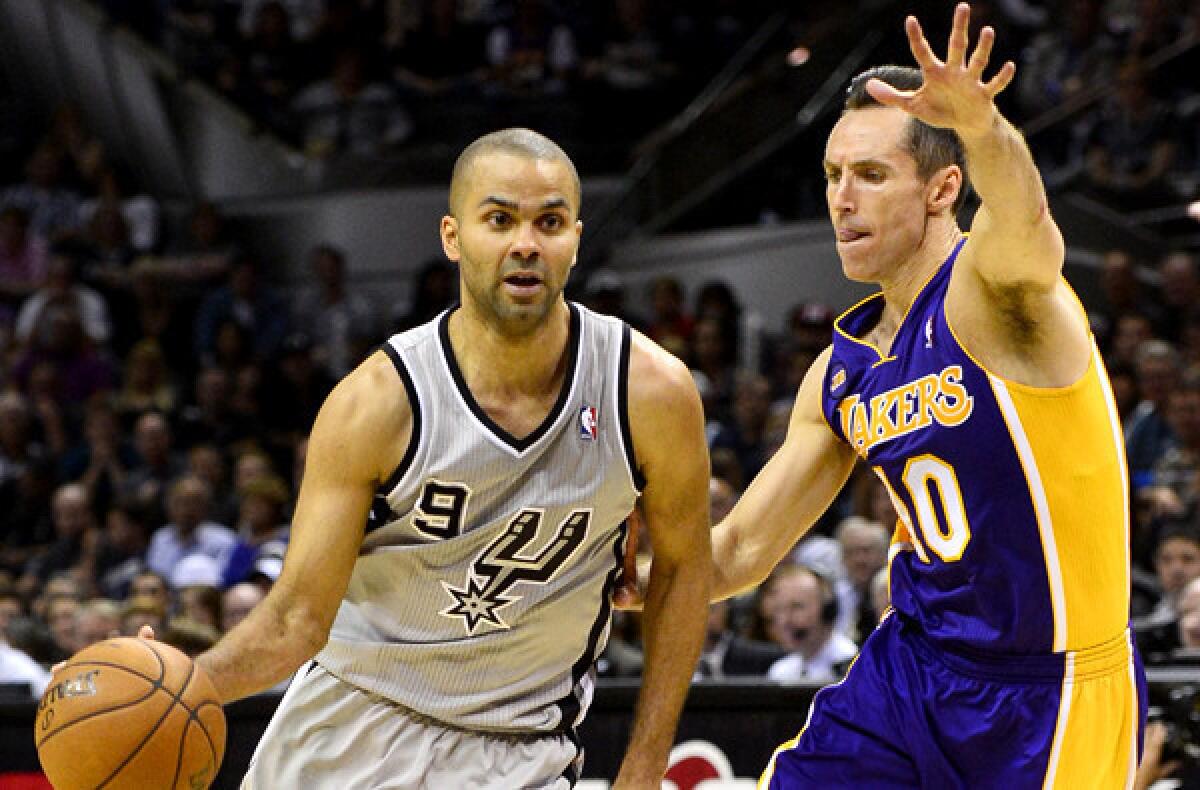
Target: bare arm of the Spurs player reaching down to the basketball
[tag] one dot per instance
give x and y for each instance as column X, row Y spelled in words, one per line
column 365, row 411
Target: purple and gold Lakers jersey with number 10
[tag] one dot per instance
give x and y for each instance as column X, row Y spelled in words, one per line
column 1012, row 500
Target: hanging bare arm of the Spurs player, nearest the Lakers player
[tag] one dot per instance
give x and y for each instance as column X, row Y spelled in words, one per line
column 668, row 426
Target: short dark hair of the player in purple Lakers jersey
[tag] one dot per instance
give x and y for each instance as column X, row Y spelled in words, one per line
column 933, row 148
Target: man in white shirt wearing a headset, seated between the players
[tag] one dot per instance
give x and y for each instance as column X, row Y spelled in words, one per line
column 808, row 612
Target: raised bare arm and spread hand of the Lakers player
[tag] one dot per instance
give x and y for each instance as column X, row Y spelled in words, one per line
column 1007, row 300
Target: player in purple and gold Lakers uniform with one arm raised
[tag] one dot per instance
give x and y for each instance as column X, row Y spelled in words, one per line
column 973, row 387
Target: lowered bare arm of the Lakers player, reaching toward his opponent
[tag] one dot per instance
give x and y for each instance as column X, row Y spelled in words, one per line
column 787, row 498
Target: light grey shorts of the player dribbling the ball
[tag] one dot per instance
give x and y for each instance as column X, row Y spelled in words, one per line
column 331, row 735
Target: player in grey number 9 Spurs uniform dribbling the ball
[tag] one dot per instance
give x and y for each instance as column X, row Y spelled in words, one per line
column 460, row 529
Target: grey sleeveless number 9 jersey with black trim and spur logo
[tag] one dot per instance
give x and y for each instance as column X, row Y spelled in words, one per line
column 482, row 595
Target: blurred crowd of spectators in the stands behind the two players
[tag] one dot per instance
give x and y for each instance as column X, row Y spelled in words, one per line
column 157, row 387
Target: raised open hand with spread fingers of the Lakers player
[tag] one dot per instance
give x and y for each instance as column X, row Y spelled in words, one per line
column 955, row 94
